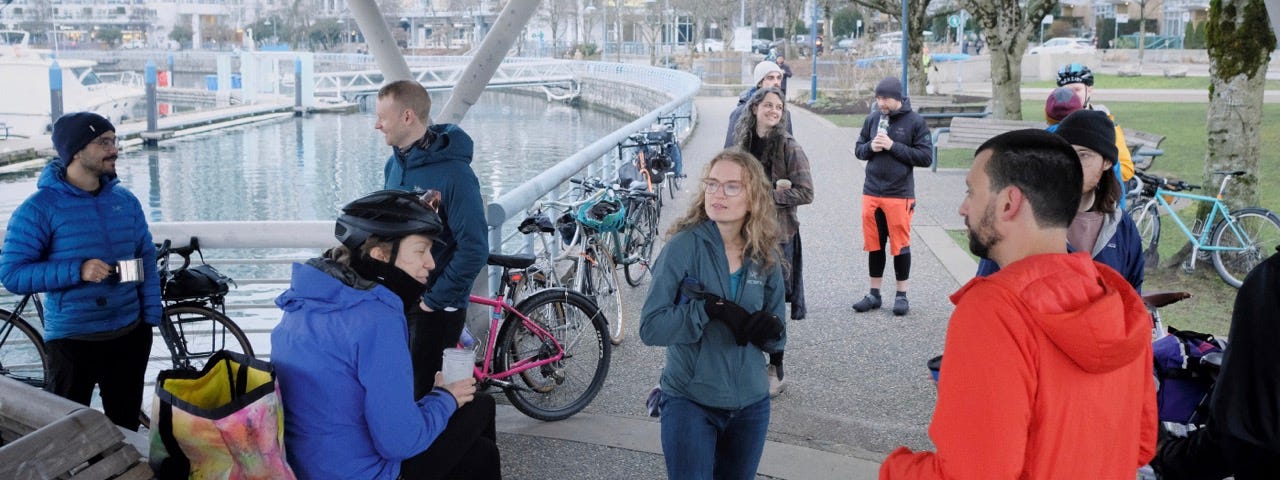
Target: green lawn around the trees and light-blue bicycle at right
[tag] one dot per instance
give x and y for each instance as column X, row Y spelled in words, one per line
column 1183, row 125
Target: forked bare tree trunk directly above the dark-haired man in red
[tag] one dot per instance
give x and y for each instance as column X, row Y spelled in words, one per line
column 1008, row 26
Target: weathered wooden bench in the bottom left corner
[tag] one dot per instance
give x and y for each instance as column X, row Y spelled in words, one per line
column 48, row 437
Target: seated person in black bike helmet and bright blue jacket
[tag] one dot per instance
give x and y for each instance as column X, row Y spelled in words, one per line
column 342, row 355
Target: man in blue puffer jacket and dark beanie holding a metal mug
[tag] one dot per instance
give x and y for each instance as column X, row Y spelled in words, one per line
column 67, row 240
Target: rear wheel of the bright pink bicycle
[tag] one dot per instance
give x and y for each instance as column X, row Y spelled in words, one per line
column 559, row 390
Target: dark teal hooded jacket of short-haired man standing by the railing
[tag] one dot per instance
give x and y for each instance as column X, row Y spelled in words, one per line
column 445, row 166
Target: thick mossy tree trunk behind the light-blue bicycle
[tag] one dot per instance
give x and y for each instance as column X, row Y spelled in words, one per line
column 1240, row 45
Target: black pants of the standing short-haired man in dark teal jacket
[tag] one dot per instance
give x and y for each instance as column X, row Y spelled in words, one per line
column 429, row 335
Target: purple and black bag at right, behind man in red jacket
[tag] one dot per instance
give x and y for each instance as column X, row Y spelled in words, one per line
column 1185, row 378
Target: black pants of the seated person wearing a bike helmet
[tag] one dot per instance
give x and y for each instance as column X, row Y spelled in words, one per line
column 467, row 450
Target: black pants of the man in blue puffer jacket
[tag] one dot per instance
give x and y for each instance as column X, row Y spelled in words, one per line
column 117, row 367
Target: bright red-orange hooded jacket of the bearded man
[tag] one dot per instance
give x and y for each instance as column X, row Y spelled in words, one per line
column 1048, row 376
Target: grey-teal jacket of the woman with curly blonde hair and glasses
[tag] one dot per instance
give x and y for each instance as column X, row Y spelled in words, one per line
column 705, row 364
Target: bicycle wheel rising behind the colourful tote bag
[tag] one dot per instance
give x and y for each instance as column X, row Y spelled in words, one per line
column 190, row 336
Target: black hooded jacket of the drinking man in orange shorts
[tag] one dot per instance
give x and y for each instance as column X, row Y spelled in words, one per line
column 889, row 173
